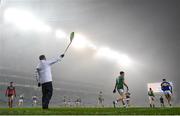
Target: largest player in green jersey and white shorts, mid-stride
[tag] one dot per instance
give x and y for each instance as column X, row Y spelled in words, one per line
column 119, row 86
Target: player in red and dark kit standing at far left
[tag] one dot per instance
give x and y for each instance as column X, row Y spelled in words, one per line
column 10, row 93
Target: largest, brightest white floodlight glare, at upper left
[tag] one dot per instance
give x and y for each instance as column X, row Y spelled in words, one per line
column 24, row 20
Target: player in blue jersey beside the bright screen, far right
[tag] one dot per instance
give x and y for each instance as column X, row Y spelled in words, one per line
column 166, row 87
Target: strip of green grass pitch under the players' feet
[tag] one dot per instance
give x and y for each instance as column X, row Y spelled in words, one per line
column 90, row 111
